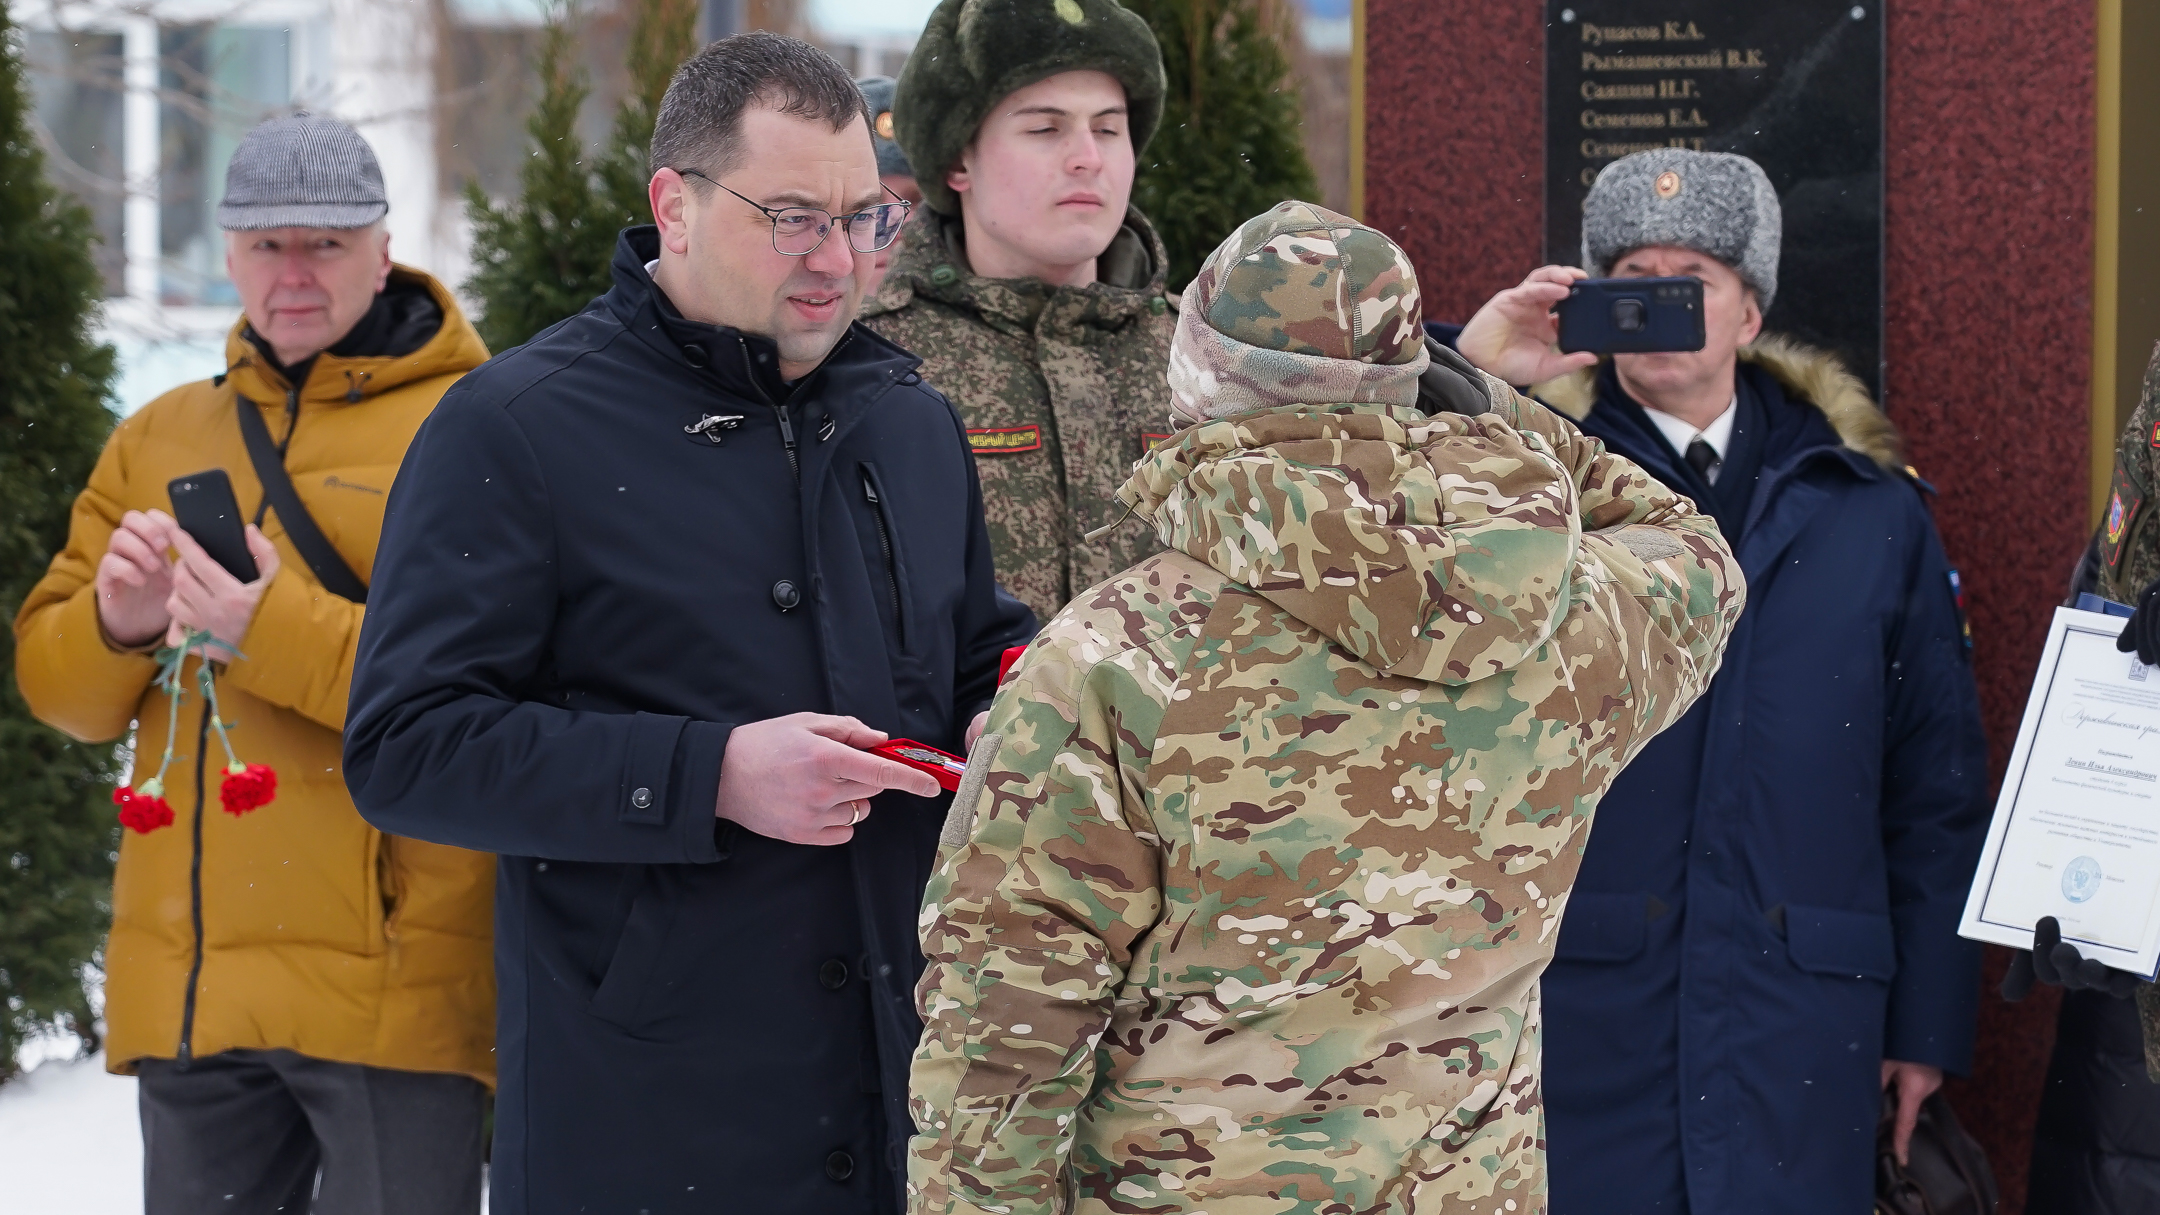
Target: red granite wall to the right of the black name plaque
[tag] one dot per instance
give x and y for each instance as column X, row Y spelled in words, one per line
column 1990, row 319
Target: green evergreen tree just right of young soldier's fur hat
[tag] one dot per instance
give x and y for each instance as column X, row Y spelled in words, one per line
column 1230, row 139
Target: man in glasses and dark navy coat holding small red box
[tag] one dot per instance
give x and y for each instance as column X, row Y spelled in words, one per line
column 645, row 591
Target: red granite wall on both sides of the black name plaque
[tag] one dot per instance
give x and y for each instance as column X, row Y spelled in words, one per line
column 1988, row 211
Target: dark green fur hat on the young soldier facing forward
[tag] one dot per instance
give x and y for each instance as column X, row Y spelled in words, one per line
column 980, row 53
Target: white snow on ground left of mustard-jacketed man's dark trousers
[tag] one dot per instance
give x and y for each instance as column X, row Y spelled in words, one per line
column 70, row 1143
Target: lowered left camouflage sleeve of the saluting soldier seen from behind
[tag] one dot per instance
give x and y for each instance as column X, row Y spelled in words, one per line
column 1029, row 924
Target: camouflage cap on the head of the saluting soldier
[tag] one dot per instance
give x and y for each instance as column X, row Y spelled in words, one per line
column 1299, row 306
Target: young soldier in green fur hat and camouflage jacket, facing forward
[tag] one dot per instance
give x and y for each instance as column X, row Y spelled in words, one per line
column 1057, row 382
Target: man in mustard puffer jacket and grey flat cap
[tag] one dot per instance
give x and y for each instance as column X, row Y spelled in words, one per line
column 297, row 991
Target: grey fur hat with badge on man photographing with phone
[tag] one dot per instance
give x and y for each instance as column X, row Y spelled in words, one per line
column 1710, row 202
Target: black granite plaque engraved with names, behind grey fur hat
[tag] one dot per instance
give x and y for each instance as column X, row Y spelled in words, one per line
column 1796, row 85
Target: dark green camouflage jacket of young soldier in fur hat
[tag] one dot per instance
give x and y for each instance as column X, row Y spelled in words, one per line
column 1062, row 390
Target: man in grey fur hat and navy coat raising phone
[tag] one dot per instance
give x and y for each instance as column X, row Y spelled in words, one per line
column 1766, row 929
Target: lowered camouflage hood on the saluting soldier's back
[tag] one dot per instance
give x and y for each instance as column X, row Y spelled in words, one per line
column 1431, row 548
